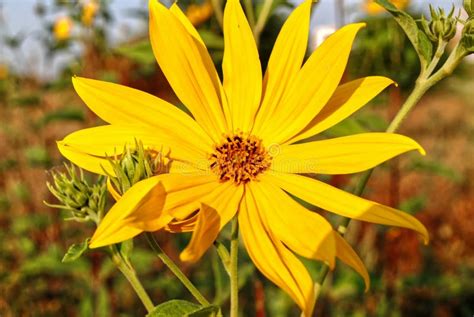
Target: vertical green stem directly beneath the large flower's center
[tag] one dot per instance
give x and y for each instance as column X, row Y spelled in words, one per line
column 233, row 269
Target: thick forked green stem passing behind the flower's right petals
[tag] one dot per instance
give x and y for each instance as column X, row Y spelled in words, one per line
column 424, row 82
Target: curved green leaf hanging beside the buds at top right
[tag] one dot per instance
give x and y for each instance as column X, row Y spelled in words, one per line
column 420, row 41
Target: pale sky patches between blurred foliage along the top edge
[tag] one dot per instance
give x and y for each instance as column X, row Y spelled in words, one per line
column 17, row 16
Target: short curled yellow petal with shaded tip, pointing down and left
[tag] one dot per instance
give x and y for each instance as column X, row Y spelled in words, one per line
column 217, row 210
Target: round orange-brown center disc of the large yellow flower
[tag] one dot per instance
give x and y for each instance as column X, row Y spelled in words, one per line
column 240, row 159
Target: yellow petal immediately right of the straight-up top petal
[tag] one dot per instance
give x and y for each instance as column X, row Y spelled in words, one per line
column 285, row 61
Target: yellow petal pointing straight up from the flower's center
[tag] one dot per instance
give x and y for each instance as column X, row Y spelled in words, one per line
column 241, row 68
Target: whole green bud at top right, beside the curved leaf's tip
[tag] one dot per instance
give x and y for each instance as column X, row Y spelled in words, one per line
column 441, row 27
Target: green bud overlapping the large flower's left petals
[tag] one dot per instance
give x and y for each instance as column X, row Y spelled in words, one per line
column 134, row 165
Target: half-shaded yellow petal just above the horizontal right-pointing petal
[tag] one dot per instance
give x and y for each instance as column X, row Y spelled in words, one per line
column 347, row 99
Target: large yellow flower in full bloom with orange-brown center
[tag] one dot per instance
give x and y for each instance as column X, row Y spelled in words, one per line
column 238, row 154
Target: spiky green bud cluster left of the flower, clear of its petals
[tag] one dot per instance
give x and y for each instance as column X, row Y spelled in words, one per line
column 83, row 200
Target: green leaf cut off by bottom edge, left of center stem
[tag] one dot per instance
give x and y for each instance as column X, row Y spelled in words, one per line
column 182, row 308
